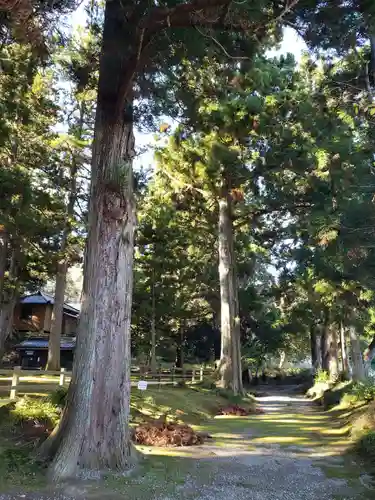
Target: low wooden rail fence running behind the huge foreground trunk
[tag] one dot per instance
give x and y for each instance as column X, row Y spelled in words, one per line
column 18, row 381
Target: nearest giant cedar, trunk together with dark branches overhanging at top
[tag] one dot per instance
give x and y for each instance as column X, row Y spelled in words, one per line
column 94, row 432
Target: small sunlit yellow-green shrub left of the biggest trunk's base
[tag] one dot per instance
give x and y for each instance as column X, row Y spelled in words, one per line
column 39, row 410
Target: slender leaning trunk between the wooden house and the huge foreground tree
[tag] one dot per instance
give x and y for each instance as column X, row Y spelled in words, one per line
column 53, row 361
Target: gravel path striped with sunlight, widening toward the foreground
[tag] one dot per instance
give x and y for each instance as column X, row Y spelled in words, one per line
column 289, row 453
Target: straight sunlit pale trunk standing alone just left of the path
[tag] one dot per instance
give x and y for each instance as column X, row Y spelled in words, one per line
column 230, row 360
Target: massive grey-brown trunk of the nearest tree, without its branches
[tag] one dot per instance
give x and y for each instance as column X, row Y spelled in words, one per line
column 94, row 432
